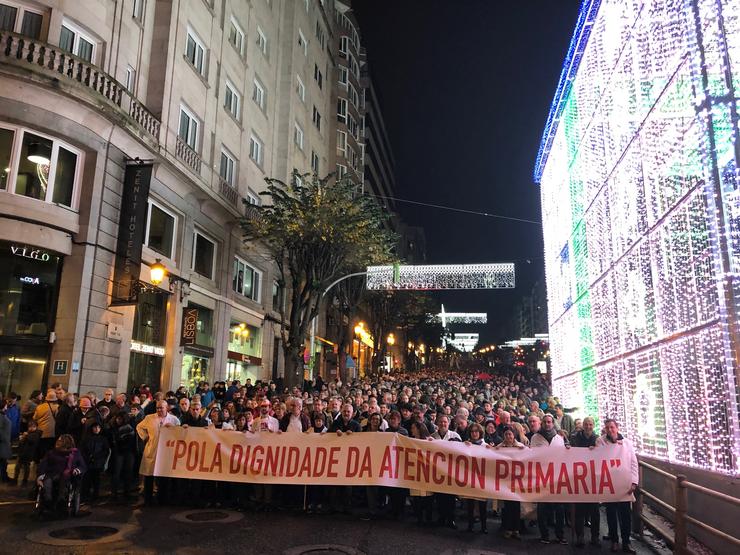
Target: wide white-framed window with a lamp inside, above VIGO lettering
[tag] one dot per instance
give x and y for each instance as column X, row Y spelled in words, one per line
column 38, row 166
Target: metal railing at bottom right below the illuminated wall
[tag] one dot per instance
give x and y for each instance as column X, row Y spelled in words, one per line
column 679, row 509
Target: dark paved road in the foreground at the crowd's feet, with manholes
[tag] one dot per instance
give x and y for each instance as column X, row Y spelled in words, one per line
column 153, row 530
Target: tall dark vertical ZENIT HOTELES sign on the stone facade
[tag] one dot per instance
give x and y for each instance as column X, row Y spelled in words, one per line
column 131, row 228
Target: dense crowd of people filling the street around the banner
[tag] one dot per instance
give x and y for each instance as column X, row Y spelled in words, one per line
column 63, row 436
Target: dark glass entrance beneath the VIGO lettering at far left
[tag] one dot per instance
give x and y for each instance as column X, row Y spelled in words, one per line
column 29, row 290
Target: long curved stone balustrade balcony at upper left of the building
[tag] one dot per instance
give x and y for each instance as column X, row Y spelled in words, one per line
column 63, row 68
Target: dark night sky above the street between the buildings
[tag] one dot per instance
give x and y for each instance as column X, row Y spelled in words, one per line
column 466, row 86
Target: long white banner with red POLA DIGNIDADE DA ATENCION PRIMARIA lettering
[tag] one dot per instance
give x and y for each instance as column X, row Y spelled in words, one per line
column 387, row 459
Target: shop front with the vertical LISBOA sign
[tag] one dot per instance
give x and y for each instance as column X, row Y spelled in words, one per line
column 197, row 342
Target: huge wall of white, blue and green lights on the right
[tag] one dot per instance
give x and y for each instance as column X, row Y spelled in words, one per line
column 638, row 168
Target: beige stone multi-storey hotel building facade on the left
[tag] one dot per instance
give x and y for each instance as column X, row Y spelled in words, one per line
column 153, row 119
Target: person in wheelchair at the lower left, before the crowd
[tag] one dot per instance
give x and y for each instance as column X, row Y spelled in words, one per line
column 63, row 466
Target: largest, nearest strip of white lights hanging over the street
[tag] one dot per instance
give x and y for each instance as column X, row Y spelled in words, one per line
column 452, row 276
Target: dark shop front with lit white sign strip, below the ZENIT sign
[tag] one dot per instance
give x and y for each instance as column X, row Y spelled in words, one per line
column 148, row 339
